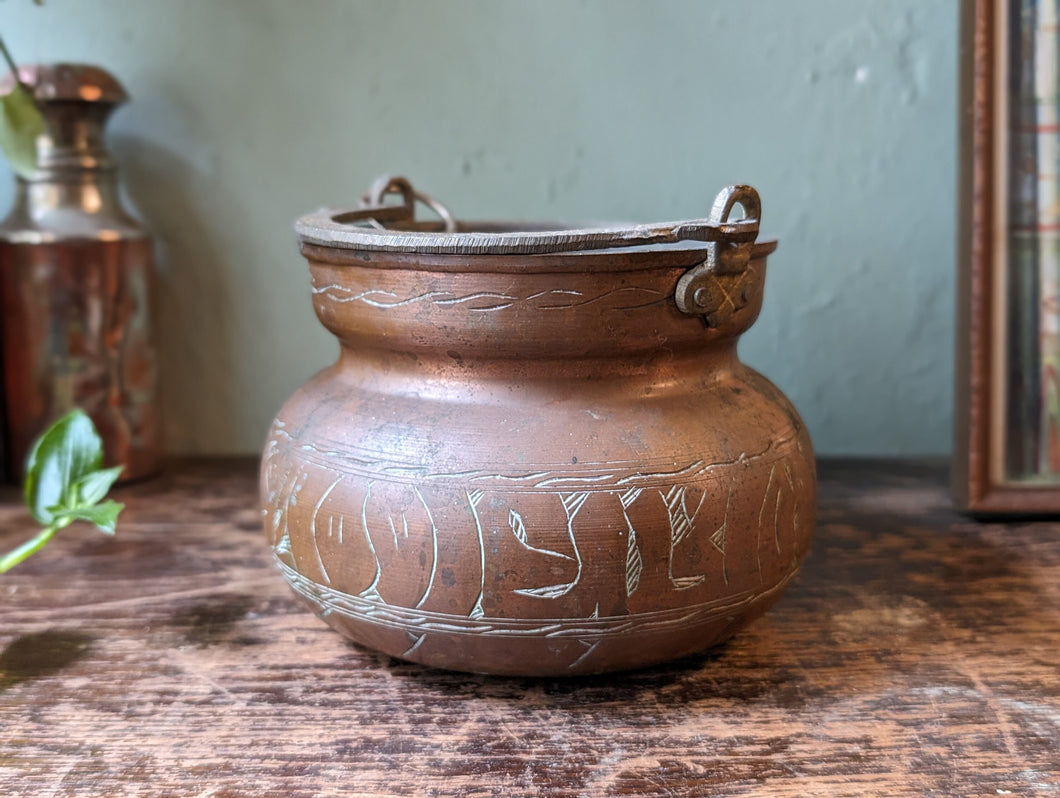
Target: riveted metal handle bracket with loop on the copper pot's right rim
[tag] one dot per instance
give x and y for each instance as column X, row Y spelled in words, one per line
column 722, row 278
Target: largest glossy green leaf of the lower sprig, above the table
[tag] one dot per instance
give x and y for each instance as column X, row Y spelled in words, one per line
column 62, row 457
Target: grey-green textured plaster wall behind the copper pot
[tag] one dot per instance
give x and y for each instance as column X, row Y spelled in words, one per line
column 249, row 113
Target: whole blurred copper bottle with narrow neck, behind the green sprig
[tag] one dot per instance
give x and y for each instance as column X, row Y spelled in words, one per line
column 75, row 277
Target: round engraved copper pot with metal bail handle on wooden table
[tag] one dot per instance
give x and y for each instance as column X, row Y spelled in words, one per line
column 538, row 453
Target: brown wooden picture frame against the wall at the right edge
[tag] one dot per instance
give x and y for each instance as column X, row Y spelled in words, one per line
column 992, row 310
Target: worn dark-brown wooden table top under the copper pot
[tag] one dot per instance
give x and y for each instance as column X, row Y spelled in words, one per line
column 917, row 653
